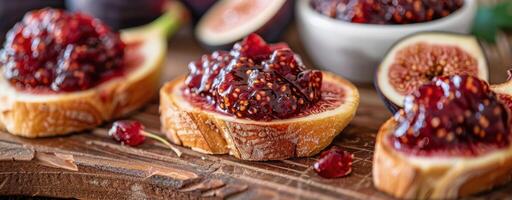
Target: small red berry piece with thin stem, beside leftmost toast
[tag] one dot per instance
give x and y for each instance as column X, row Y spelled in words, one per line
column 127, row 132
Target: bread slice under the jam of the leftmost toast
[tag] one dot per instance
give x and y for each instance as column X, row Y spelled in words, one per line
column 33, row 115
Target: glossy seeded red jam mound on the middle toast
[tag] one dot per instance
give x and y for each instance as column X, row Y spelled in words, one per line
column 255, row 80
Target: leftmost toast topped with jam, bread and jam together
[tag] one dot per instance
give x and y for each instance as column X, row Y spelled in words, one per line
column 64, row 72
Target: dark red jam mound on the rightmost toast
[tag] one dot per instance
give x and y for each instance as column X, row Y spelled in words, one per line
column 452, row 116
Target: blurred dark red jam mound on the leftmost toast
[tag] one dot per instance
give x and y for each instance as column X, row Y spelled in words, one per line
column 53, row 50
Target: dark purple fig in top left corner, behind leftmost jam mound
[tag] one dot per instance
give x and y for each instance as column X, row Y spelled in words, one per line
column 12, row 11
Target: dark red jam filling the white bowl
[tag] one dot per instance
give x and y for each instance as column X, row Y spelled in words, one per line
column 386, row 11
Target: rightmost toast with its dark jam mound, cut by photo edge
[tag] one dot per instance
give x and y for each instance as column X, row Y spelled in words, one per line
column 451, row 139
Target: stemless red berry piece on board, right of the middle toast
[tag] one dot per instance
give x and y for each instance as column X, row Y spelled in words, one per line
column 334, row 163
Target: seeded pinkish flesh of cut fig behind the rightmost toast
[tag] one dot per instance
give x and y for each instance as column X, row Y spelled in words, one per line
column 419, row 63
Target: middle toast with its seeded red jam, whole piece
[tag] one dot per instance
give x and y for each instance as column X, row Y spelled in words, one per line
column 256, row 102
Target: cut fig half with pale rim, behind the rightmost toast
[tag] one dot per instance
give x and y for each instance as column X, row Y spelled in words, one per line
column 417, row 59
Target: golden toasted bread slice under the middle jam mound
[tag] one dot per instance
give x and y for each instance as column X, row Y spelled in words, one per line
column 214, row 133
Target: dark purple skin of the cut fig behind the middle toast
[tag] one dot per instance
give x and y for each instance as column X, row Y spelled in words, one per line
column 271, row 31
